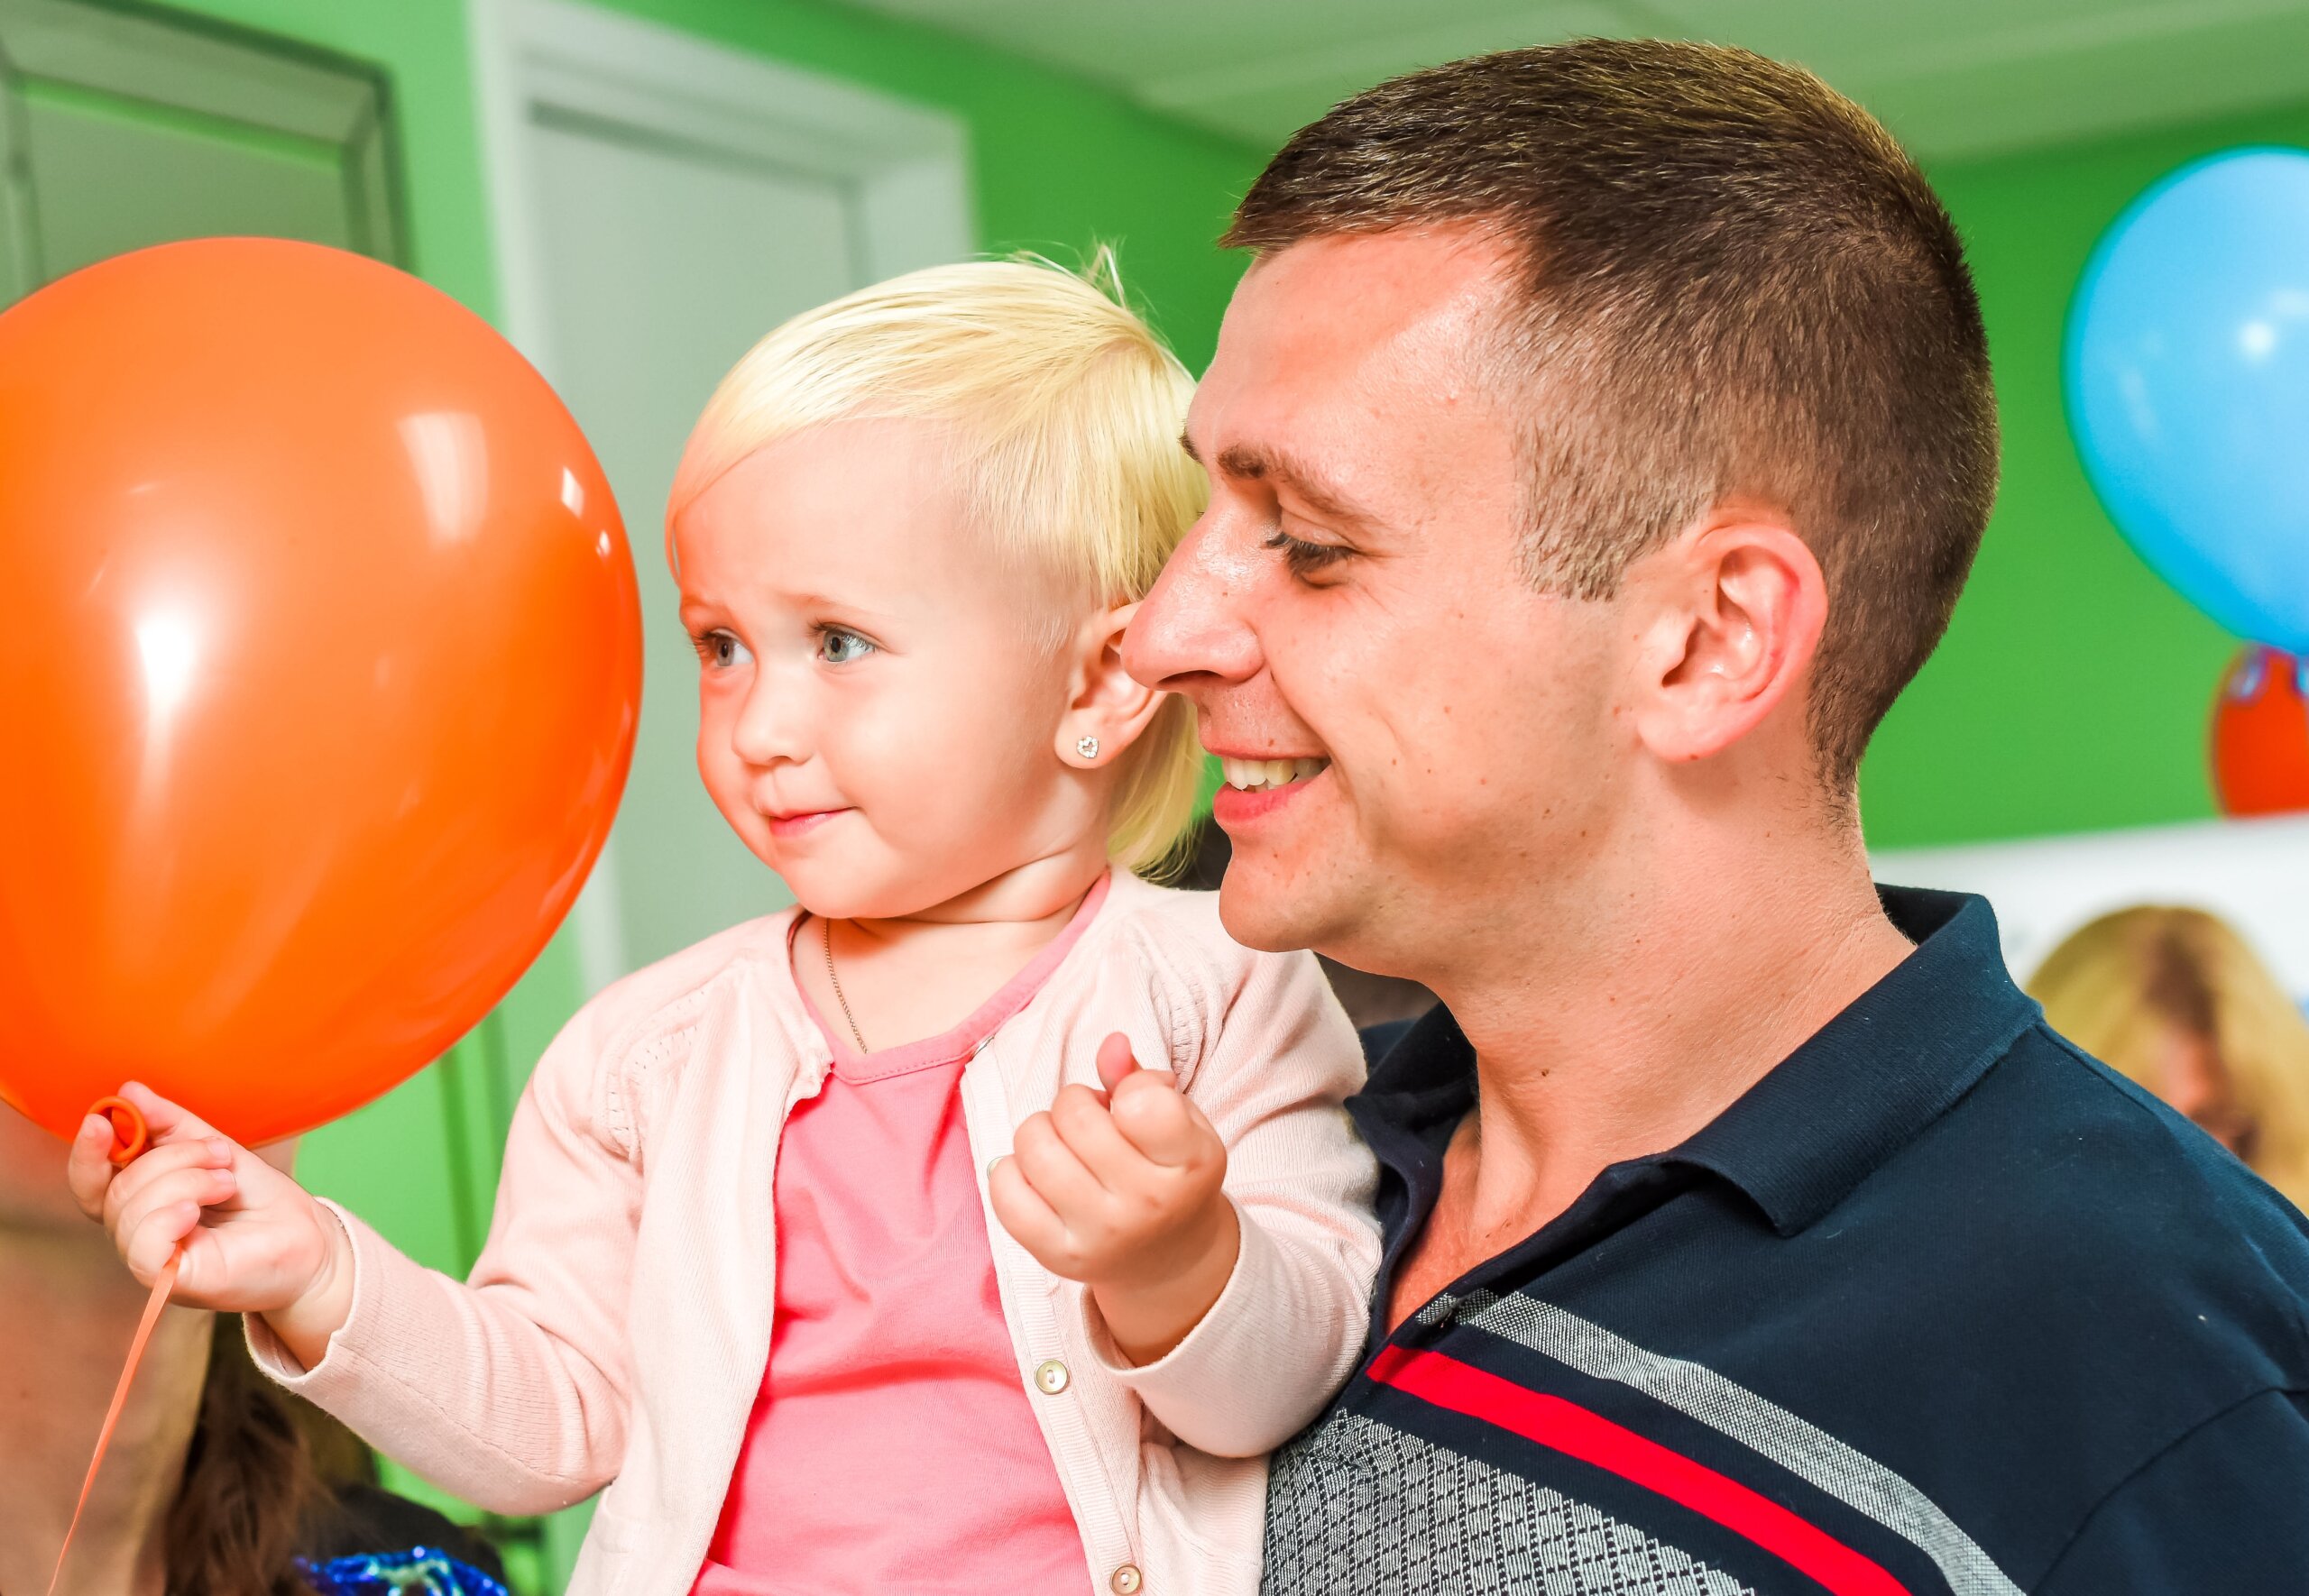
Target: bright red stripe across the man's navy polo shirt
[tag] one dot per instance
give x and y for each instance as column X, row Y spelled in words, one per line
column 1592, row 1438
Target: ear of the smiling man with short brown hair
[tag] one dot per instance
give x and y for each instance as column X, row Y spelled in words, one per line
column 1735, row 616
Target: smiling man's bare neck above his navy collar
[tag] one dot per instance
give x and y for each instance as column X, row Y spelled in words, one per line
column 1627, row 1022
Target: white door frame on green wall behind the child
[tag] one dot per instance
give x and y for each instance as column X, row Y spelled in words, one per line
column 906, row 165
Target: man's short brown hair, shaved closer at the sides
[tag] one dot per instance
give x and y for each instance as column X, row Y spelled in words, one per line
column 1735, row 285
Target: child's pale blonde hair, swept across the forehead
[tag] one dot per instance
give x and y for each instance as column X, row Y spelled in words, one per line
column 1066, row 415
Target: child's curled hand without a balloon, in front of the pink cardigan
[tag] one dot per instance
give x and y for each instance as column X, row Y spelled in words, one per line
column 1123, row 1193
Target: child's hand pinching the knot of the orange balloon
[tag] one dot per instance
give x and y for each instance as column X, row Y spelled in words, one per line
column 255, row 1241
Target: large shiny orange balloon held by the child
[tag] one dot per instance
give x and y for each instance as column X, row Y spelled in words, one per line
column 322, row 664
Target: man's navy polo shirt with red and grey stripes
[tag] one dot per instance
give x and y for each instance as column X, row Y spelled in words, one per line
column 1938, row 1306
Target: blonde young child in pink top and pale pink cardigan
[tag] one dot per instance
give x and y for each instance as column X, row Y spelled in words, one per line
column 978, row 1223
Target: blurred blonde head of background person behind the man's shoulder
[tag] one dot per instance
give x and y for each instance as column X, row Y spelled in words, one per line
column 2176, row 1001
